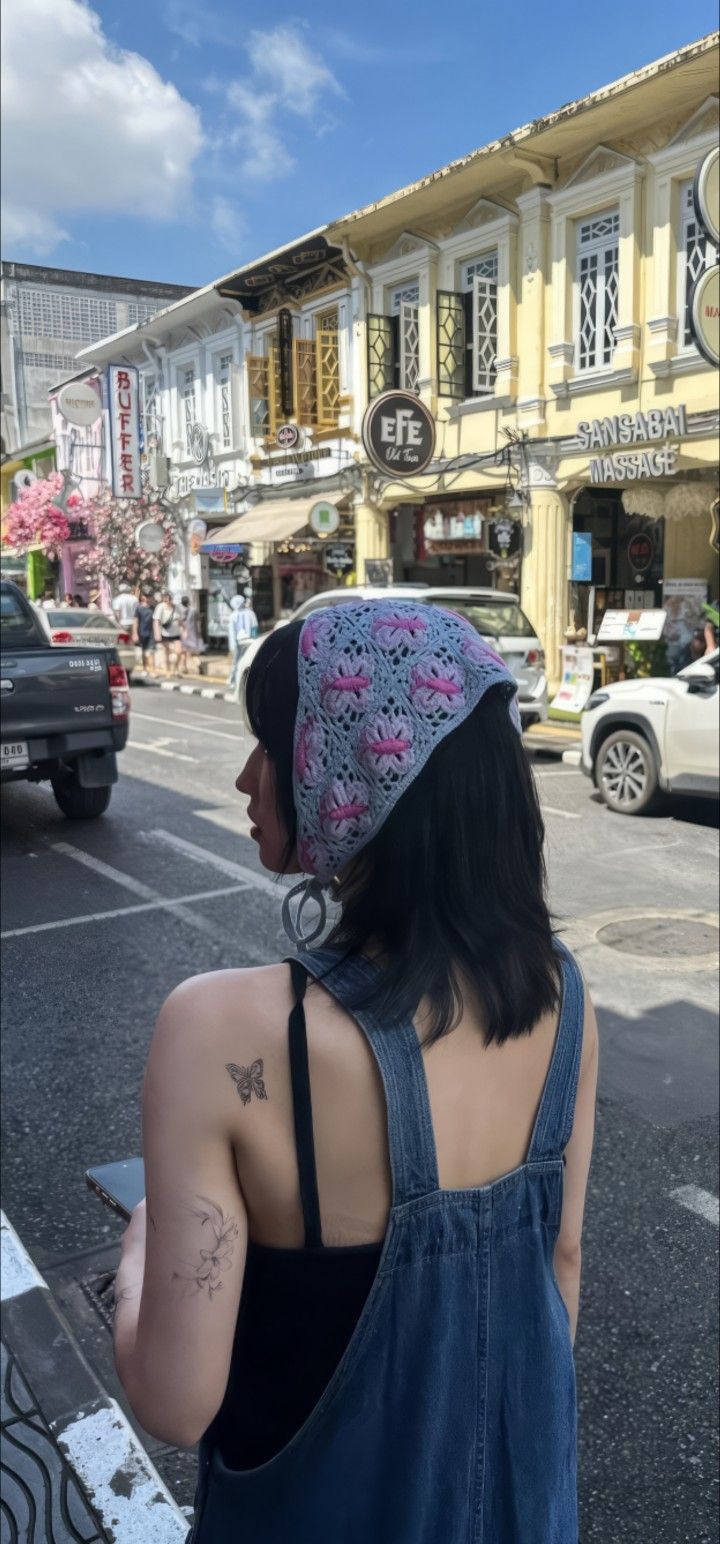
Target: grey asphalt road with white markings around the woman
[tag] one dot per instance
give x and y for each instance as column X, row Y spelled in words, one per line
column 103, row 921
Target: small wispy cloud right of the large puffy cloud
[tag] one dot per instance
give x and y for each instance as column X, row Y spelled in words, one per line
column 287, row 78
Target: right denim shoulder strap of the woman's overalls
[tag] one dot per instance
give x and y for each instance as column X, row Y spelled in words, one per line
column 557, row 1111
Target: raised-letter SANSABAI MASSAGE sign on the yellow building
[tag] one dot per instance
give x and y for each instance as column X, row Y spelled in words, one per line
column 640, row 428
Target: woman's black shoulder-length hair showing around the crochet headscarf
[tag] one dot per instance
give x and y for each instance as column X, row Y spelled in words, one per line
column 450, row 895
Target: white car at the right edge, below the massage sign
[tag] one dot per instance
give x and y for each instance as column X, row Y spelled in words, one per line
column 654, row 734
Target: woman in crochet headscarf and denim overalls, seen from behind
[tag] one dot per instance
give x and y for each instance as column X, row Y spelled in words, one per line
column 378, row 1154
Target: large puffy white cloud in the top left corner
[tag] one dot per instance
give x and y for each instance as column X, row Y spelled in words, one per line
column 87, row 126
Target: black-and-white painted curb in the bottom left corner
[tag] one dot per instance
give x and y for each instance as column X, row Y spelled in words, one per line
column 87, row 1429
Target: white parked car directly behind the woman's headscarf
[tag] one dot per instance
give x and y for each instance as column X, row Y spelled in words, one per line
column 497, row 615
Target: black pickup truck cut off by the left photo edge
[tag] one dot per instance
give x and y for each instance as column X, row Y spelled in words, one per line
column 64, row 711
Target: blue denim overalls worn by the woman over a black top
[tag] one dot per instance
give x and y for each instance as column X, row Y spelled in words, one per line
column 452, row 1417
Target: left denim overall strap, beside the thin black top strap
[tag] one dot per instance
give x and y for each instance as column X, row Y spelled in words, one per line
column 399, row 1058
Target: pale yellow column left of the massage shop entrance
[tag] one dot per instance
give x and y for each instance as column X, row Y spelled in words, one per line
column 546, row 554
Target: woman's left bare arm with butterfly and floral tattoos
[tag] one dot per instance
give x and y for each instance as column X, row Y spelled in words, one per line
column 182, row 1273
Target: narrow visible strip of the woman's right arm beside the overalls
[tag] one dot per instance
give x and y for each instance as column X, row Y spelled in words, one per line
column 579, row 1154
